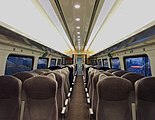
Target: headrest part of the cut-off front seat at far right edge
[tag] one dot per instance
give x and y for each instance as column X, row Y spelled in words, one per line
column 145, row 89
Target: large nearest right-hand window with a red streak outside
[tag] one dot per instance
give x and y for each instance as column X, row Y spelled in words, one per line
column 138, row 64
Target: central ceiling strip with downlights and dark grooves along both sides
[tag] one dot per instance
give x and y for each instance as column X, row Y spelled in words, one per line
column 77, row 18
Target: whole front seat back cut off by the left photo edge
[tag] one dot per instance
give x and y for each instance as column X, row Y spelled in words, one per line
column 10, row 100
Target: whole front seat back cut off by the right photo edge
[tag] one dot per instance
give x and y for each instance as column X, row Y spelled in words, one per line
column 145, row 98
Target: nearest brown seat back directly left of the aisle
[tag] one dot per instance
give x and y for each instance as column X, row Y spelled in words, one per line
column 41, row 102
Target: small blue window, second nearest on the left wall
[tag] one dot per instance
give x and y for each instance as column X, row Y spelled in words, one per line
column 42, row 63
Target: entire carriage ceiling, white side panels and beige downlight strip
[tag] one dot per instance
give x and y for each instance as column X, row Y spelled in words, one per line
column 102, row 23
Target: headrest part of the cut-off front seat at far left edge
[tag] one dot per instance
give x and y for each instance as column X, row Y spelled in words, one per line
column 10, row 87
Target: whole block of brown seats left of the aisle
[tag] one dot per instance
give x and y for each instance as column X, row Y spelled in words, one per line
column 40, row 94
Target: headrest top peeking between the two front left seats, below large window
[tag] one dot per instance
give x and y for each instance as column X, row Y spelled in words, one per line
column 24, row 75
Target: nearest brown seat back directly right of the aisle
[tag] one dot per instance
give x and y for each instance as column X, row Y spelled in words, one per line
column 113, row 99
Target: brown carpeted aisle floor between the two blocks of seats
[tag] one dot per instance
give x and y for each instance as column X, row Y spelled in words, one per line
column 78, row 108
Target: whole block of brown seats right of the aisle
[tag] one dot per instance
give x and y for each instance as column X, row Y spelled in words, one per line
column 119, row 95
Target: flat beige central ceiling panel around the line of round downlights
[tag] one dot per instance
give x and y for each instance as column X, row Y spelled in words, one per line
column 70, row 13
